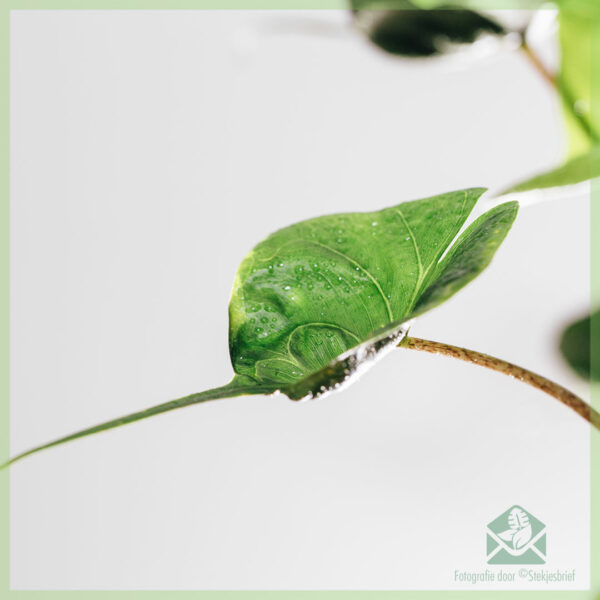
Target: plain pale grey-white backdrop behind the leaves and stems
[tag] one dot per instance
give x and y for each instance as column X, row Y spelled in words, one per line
column 150, row 152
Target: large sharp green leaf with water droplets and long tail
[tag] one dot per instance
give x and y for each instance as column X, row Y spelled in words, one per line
column 315, row 303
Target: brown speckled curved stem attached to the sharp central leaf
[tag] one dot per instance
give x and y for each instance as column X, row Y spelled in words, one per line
column 496, row 364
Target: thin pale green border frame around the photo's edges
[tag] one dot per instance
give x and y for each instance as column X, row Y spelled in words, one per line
column 6, row 7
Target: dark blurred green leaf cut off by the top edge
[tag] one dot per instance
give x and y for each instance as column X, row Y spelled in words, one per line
column 408, row 30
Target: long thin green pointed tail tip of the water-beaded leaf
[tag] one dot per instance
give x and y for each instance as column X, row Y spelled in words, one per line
column 230, row 390
